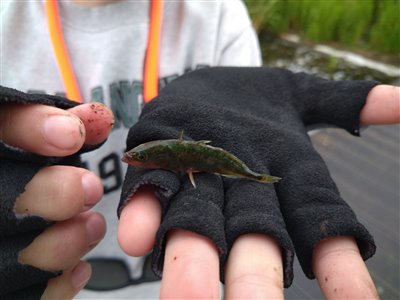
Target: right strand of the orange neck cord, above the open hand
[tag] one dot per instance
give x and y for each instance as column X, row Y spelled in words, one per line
column 150, row 74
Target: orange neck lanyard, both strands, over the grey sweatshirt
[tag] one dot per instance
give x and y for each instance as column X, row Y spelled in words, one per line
column 150, row 70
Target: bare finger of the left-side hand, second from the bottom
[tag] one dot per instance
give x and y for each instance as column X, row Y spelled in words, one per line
column 64, row 243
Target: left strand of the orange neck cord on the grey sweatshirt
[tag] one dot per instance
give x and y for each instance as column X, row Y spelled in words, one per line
column 61, row 52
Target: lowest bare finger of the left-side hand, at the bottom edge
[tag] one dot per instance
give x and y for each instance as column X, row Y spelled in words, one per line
column 68, row 284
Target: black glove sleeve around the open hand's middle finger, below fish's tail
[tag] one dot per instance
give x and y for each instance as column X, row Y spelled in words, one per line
column 252, row 207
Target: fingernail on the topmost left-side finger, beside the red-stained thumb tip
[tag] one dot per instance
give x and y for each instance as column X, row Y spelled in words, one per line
column 64, row 132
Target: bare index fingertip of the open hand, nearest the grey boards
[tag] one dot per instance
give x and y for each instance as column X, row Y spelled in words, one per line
column 341, row 271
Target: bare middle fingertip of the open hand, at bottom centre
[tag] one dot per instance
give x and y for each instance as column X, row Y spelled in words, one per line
column 254, row 269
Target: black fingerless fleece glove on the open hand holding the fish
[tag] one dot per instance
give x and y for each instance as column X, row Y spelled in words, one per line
column 260, row 115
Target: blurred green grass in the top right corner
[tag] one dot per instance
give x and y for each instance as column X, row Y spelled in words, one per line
column 371, row 25
